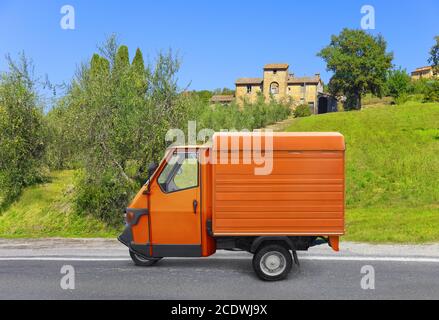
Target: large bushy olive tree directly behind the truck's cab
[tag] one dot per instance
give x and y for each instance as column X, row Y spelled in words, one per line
column 115, row 116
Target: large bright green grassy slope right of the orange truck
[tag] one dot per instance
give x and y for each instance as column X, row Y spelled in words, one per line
column 392, row 171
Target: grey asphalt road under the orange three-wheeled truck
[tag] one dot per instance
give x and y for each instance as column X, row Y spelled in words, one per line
column 36, row 274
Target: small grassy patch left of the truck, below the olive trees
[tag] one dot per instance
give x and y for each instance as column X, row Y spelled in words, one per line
column 45, row 211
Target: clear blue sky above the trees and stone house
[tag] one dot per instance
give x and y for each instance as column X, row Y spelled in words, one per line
column 219, row 41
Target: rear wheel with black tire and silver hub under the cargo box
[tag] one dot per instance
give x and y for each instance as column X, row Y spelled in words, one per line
column 272, row 262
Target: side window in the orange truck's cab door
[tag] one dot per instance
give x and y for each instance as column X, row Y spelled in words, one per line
column 180, row 173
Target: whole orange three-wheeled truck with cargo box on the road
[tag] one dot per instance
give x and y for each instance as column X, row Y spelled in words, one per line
column 205, row 198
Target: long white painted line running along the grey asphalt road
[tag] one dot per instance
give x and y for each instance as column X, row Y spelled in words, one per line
column 312, row 258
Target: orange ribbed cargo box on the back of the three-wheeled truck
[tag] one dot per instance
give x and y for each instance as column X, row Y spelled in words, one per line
column 302, row 195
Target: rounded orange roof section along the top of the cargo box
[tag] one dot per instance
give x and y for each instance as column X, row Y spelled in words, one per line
column 300, row 141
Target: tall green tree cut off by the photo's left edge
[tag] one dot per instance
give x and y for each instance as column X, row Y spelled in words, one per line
column 22, row 131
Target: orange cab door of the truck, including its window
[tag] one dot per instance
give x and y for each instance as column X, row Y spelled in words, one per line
column 176, row 209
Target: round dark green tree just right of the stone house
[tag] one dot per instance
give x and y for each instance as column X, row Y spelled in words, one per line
column 360, row 63
